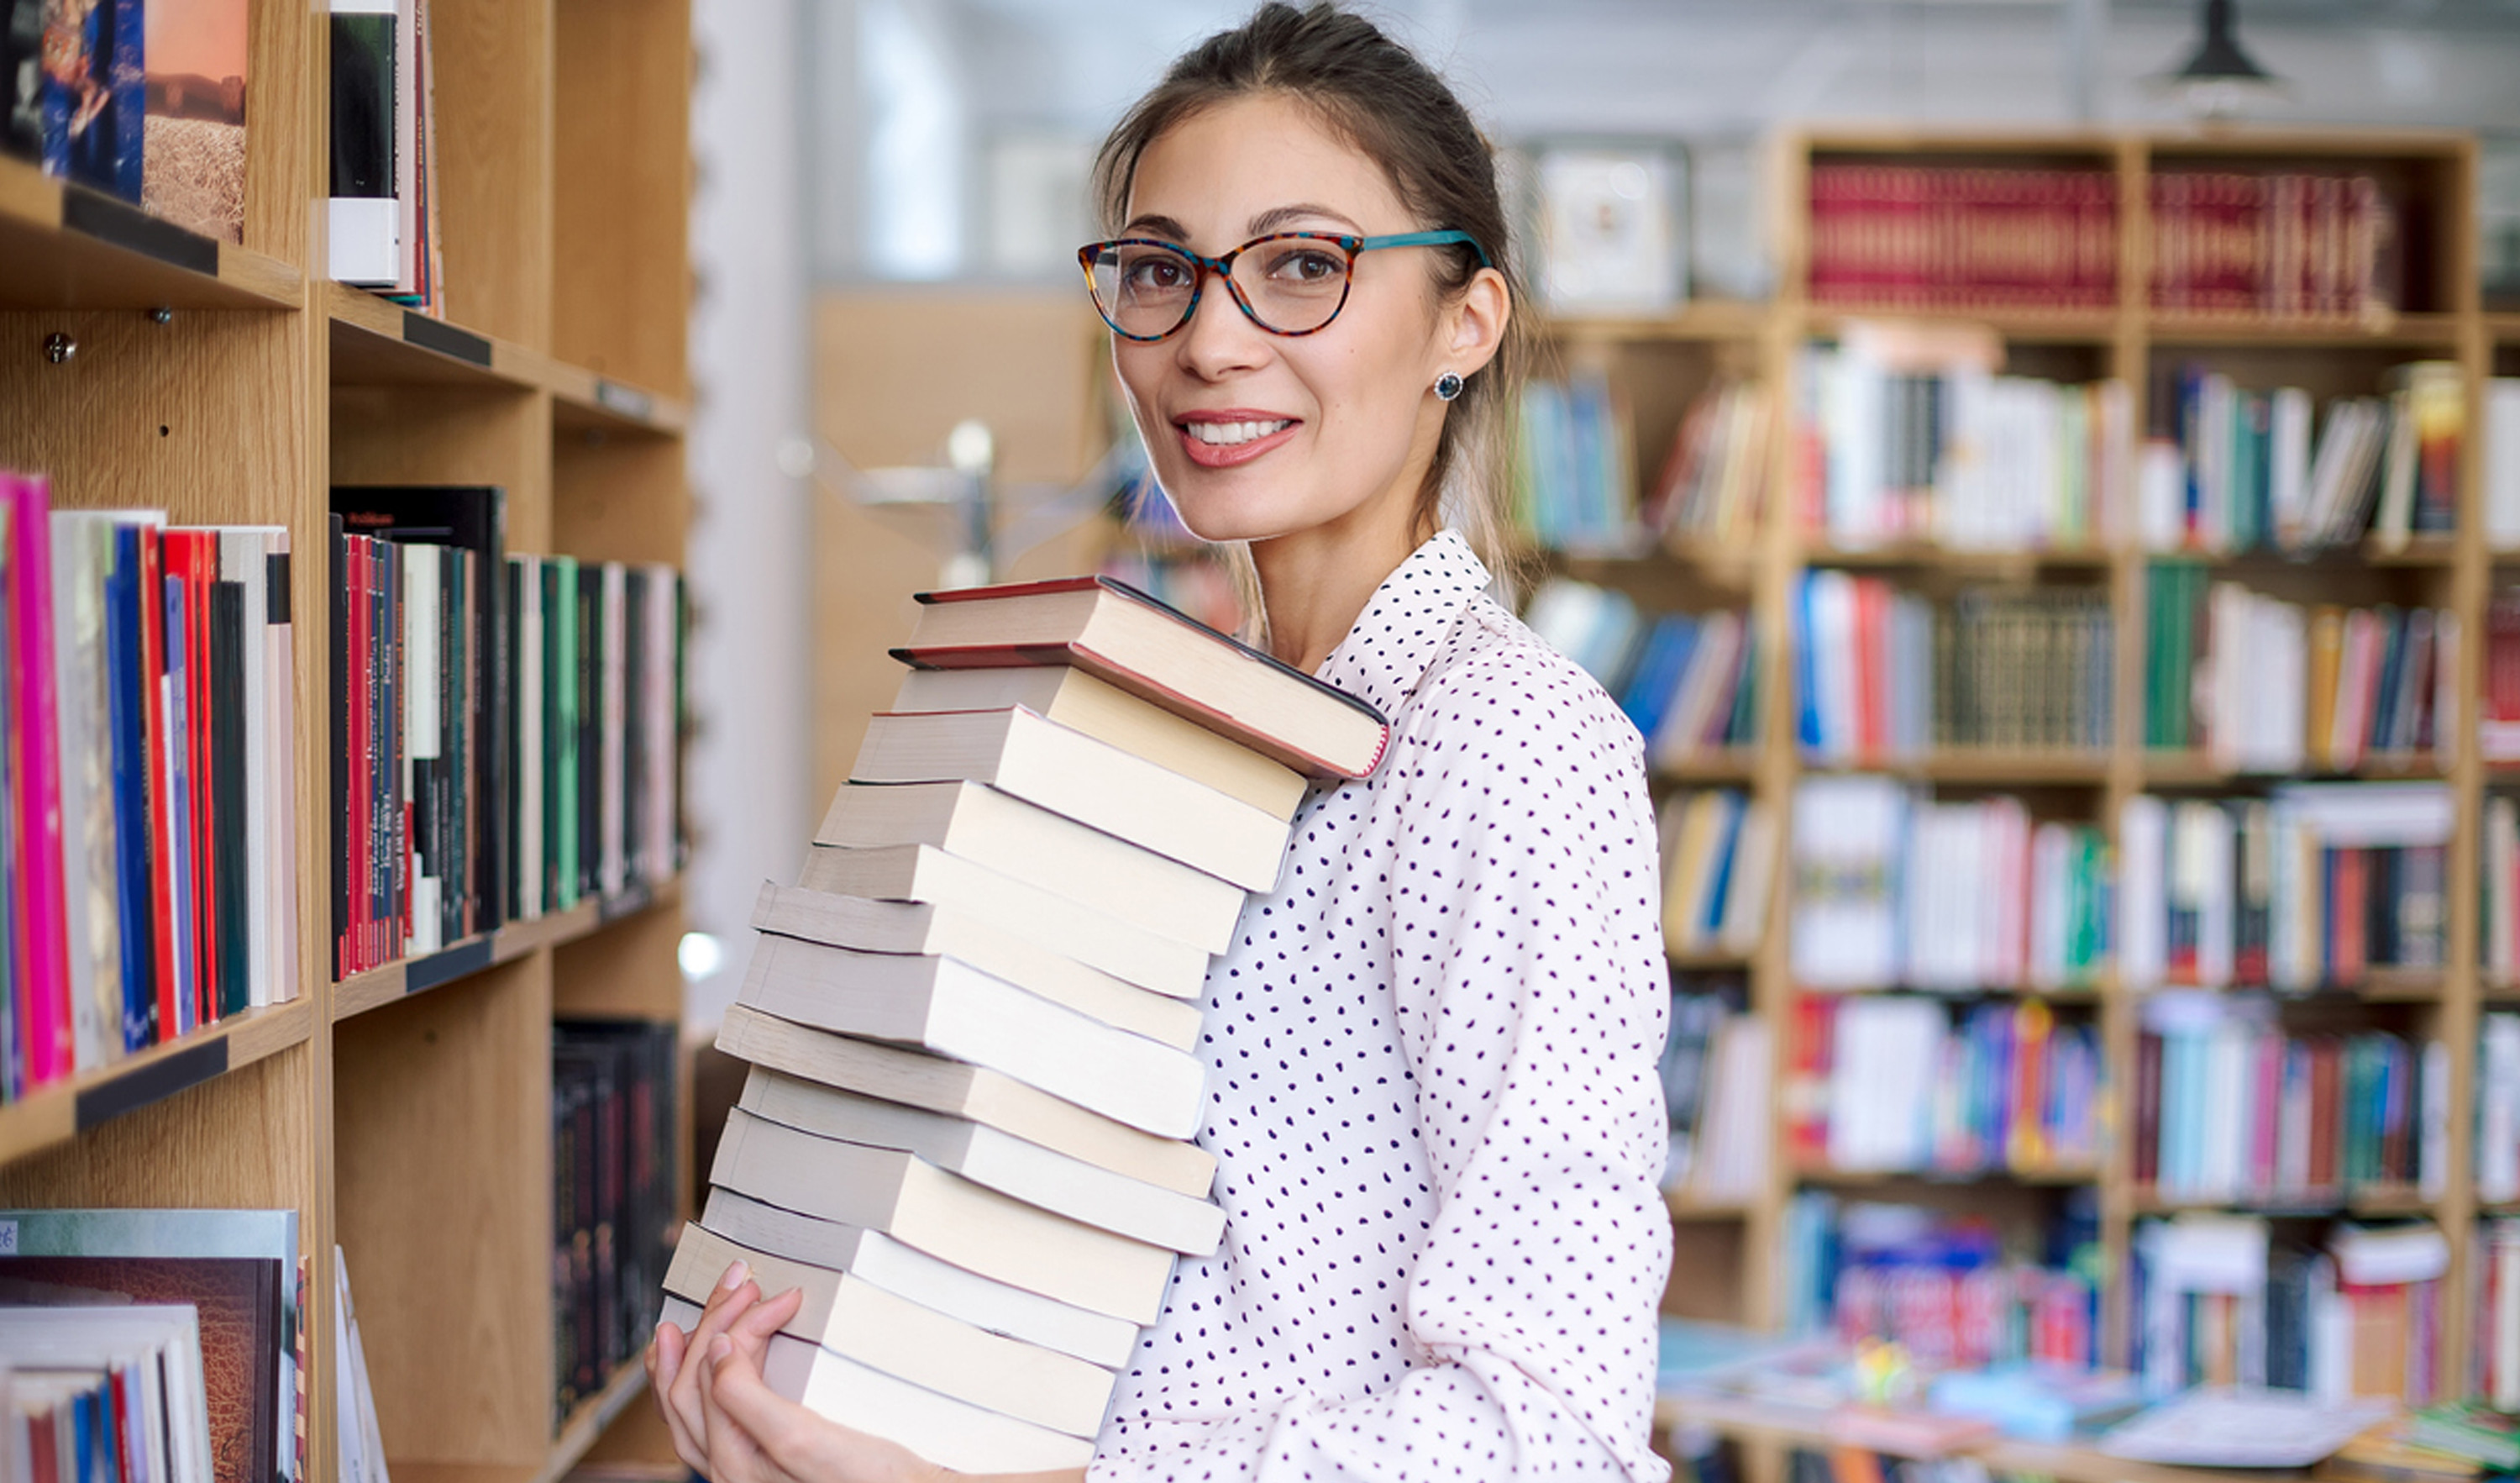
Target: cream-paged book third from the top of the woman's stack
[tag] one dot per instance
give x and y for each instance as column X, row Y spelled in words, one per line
column 1077, row 778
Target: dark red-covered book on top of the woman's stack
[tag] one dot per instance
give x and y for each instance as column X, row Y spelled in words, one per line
column 1158, row 654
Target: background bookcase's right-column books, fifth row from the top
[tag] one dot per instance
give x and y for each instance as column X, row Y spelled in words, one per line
column 2231, row 1108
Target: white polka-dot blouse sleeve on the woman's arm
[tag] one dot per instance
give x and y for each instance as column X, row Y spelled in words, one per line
column 1531, row 995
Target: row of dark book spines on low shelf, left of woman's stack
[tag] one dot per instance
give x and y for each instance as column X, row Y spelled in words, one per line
column 614, row 1197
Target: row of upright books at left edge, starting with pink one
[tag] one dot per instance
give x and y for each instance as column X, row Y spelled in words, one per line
column 147, row 871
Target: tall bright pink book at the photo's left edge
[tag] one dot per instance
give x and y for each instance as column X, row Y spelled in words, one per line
column 44, row 932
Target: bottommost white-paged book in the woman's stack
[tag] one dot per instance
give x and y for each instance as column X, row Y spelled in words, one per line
column 941, row 1429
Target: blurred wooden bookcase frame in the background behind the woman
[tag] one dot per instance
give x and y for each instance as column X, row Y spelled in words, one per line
column 1730, row 1252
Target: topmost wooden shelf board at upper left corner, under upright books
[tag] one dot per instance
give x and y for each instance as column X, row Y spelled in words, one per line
column 67, row 246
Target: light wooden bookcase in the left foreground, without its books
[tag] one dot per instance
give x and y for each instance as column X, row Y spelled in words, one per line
column 402, row 1114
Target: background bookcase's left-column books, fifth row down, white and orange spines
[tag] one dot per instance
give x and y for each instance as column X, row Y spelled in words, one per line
column 1896, row 1083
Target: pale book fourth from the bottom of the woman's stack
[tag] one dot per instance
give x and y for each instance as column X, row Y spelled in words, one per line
column 941, row 1214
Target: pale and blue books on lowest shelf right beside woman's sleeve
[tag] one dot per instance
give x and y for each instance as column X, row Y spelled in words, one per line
column 1715, row 1088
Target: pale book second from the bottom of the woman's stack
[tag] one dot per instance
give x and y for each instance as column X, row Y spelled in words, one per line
column 848, row 1315
